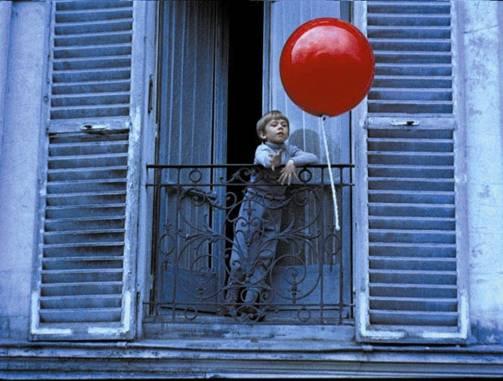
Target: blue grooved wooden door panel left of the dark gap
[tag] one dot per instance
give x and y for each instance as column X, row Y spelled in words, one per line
column 191, row 132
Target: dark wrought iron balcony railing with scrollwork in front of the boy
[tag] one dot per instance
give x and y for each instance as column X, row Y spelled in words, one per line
column 231, row 244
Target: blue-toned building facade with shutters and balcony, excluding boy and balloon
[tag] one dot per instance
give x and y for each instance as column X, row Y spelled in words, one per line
column 127, row 129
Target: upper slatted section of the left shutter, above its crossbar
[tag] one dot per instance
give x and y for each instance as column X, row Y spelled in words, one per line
column 91, row 70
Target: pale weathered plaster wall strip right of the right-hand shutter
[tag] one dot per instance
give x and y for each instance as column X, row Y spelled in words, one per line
column 483, row 39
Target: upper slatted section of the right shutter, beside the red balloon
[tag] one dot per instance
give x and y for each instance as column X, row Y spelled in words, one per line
column 412, row 46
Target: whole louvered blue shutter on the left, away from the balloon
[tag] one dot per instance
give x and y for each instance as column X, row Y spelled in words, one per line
column 84, row 286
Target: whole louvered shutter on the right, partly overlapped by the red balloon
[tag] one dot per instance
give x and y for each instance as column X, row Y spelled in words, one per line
column 409, row 226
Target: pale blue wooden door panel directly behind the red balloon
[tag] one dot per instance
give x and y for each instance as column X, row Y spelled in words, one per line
column 284, row 17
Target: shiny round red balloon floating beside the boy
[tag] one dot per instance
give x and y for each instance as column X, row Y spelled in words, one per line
column 327, row 66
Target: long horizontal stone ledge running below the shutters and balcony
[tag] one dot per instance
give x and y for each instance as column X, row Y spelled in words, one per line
column 200, row 358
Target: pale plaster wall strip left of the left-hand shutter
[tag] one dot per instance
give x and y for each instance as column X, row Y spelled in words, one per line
column 19, row 163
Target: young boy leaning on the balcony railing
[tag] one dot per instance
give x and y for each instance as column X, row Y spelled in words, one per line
column 259, row 221
